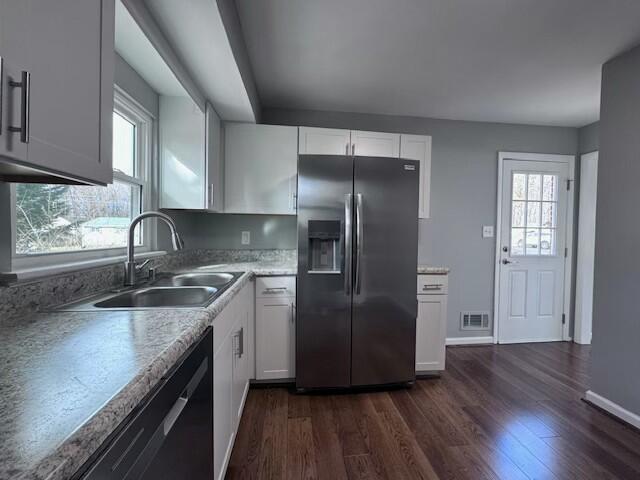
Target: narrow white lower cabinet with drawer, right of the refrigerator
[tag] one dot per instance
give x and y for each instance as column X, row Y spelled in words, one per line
column 431, row 324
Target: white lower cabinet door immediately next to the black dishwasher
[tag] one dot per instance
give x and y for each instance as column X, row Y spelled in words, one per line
column 223, row 414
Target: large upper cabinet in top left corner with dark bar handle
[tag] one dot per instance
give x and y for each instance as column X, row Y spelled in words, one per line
column 63, row 108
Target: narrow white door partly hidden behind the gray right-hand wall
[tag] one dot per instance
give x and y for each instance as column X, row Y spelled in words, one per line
column 586, row 247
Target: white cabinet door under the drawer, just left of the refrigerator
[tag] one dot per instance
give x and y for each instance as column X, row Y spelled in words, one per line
column 275, row 338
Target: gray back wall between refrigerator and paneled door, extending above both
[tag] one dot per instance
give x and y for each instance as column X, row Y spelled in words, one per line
column 463, row 191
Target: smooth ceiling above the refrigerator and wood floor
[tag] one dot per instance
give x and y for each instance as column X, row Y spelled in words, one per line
column 512, row 61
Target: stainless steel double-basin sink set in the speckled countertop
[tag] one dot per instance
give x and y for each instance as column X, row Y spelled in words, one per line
column 183, row 290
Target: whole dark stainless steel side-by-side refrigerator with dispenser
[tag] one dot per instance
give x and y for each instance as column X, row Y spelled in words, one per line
column 357, row 264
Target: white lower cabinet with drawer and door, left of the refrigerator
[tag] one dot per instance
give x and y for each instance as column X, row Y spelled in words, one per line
column 275, row 328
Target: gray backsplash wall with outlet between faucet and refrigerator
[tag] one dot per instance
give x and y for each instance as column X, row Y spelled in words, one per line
column 223, row 231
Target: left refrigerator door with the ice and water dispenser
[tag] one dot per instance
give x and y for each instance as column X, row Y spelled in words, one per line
column 323, row 331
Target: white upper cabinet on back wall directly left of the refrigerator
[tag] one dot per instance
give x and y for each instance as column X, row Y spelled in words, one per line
column 261, row 163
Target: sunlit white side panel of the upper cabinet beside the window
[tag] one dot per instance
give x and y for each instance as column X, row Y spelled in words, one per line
column 182, row 153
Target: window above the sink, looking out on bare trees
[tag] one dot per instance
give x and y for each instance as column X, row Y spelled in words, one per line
column 90, row 220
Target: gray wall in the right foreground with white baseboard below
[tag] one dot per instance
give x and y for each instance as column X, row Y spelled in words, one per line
column 615, row 355
